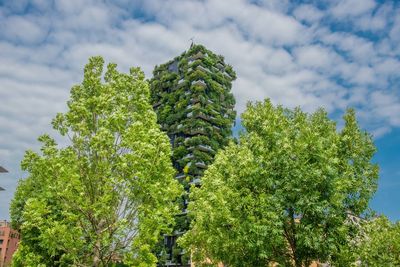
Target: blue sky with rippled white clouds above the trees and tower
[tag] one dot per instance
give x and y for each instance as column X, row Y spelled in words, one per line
column 333, row 54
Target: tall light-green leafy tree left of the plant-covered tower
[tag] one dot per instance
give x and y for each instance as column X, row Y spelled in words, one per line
column 107, row 196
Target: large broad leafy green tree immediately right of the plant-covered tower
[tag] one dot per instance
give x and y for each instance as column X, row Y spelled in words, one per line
column 283, row 194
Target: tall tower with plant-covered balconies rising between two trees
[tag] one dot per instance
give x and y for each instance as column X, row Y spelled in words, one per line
column 191, row 95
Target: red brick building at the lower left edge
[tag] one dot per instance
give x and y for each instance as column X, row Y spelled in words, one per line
column 8, row 243
